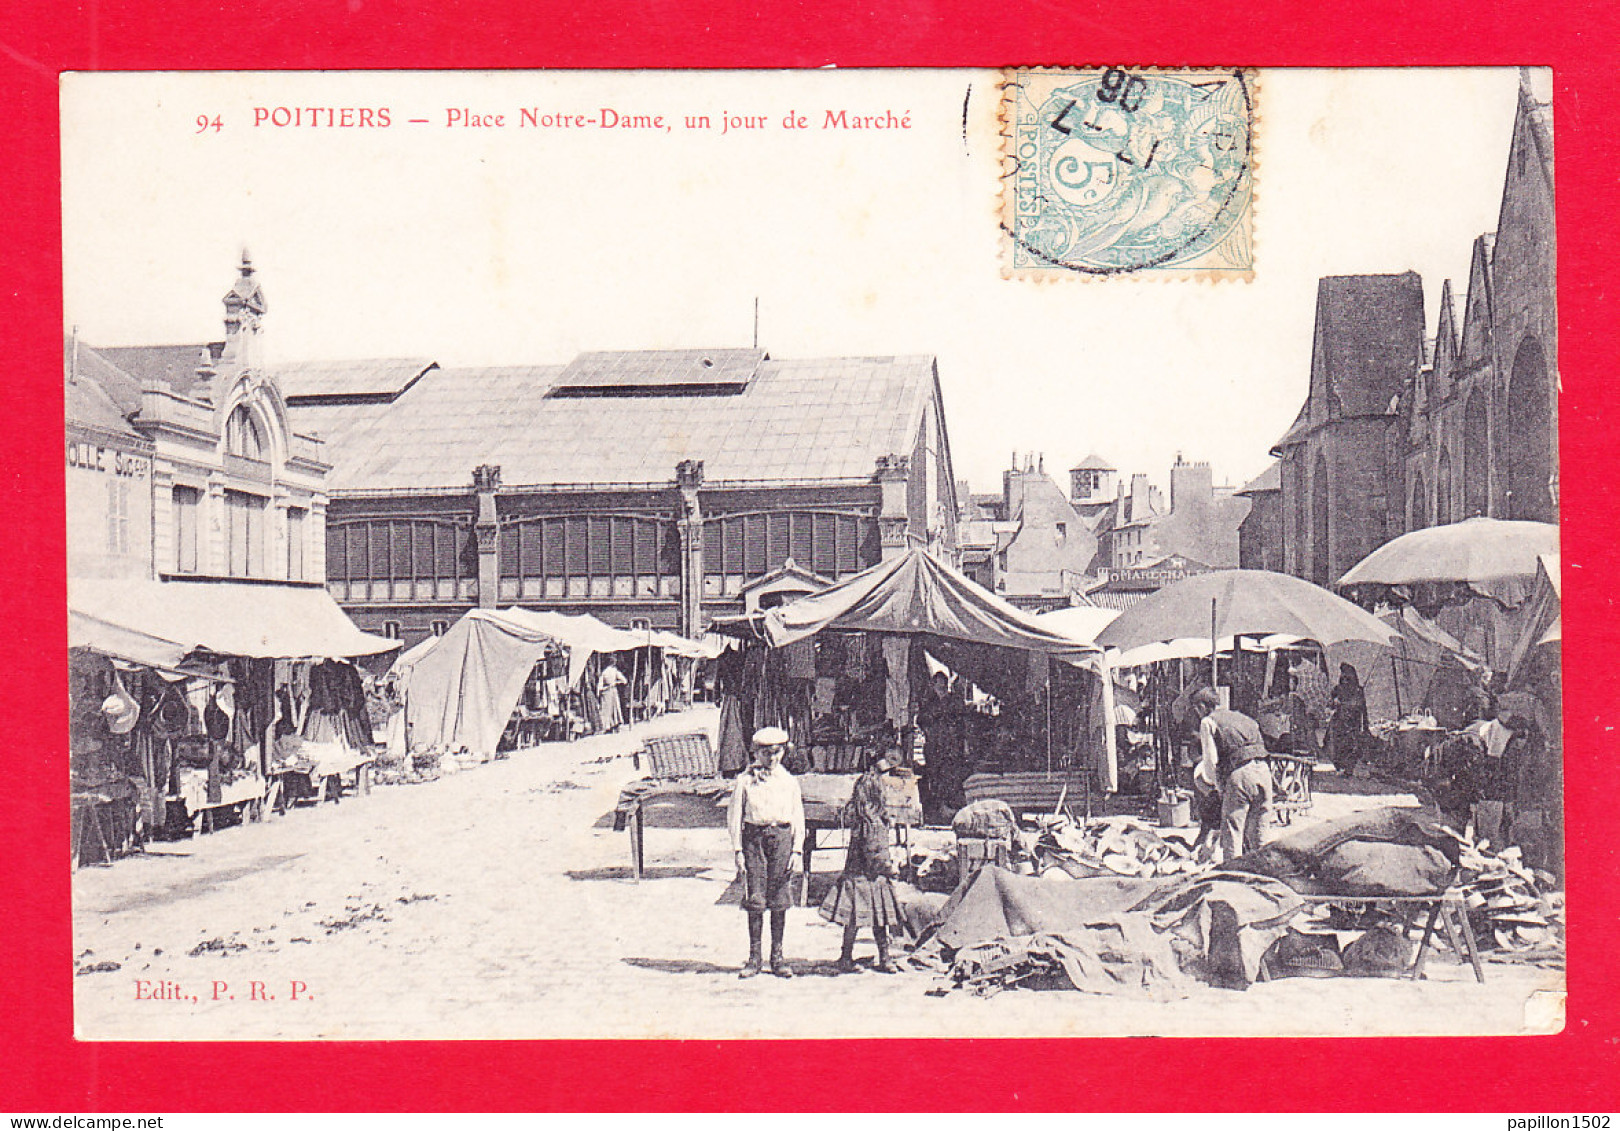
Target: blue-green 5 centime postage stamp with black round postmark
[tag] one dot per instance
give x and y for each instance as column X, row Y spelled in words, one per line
column 1128, row 173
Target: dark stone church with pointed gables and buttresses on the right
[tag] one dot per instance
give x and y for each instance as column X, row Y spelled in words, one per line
column 1399, row 433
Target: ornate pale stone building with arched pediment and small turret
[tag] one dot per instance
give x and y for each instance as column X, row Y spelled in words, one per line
column 208, row 476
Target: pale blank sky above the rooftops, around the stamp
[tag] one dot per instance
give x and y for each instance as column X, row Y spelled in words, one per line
column 513, row 245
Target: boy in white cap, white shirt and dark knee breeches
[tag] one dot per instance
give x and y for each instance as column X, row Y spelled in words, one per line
column 767, row 822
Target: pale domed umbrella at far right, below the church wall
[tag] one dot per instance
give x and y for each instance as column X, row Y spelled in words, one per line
column 1475, row 552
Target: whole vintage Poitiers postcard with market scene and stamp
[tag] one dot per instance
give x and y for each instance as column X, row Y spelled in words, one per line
column 715, row 555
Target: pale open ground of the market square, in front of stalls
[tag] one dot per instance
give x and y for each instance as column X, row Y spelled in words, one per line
column 500, row 903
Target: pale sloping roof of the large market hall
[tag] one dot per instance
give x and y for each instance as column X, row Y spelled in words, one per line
column 825, row 419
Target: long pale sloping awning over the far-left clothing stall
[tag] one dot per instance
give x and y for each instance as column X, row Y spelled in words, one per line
column 158, row 623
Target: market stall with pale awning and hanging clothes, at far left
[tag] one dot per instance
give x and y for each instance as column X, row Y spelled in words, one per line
column 192, row 698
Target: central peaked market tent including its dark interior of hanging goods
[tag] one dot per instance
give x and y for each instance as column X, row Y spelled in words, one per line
column 850, row 665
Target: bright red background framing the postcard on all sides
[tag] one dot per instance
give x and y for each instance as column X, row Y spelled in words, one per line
column 43, row 1069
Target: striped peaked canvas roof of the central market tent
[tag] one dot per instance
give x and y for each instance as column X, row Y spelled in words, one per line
column 966, row 626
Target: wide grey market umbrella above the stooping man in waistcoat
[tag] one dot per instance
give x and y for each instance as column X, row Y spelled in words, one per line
column 1243, row 602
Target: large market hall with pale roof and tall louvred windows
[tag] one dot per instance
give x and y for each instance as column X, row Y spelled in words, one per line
column 654, row 489
